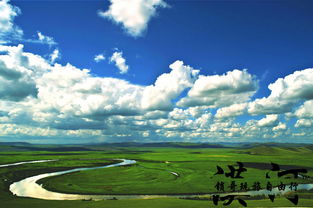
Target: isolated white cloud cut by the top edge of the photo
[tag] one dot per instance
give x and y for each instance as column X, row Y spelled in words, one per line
column 133, row 15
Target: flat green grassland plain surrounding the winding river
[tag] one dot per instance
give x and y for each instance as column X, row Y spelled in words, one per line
column 195, row 164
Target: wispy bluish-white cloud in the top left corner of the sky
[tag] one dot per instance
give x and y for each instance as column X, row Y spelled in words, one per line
column 9, row 31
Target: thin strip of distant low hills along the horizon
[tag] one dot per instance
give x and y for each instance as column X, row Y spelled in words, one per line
column 250, row 148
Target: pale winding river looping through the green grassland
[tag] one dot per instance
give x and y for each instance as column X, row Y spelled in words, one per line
column 29, row 188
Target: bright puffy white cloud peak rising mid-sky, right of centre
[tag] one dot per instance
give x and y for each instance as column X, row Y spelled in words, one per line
column 168, row 86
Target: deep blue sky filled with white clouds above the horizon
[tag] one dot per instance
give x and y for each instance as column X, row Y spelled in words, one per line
column 156, row 70
